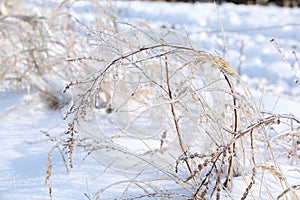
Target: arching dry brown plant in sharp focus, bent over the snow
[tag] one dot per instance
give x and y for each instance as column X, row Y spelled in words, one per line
column 157, row 105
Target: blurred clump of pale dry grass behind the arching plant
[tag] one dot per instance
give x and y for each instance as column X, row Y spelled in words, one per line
column 35, row 47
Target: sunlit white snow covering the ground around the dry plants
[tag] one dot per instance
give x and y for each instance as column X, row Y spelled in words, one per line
column 263, row 47
